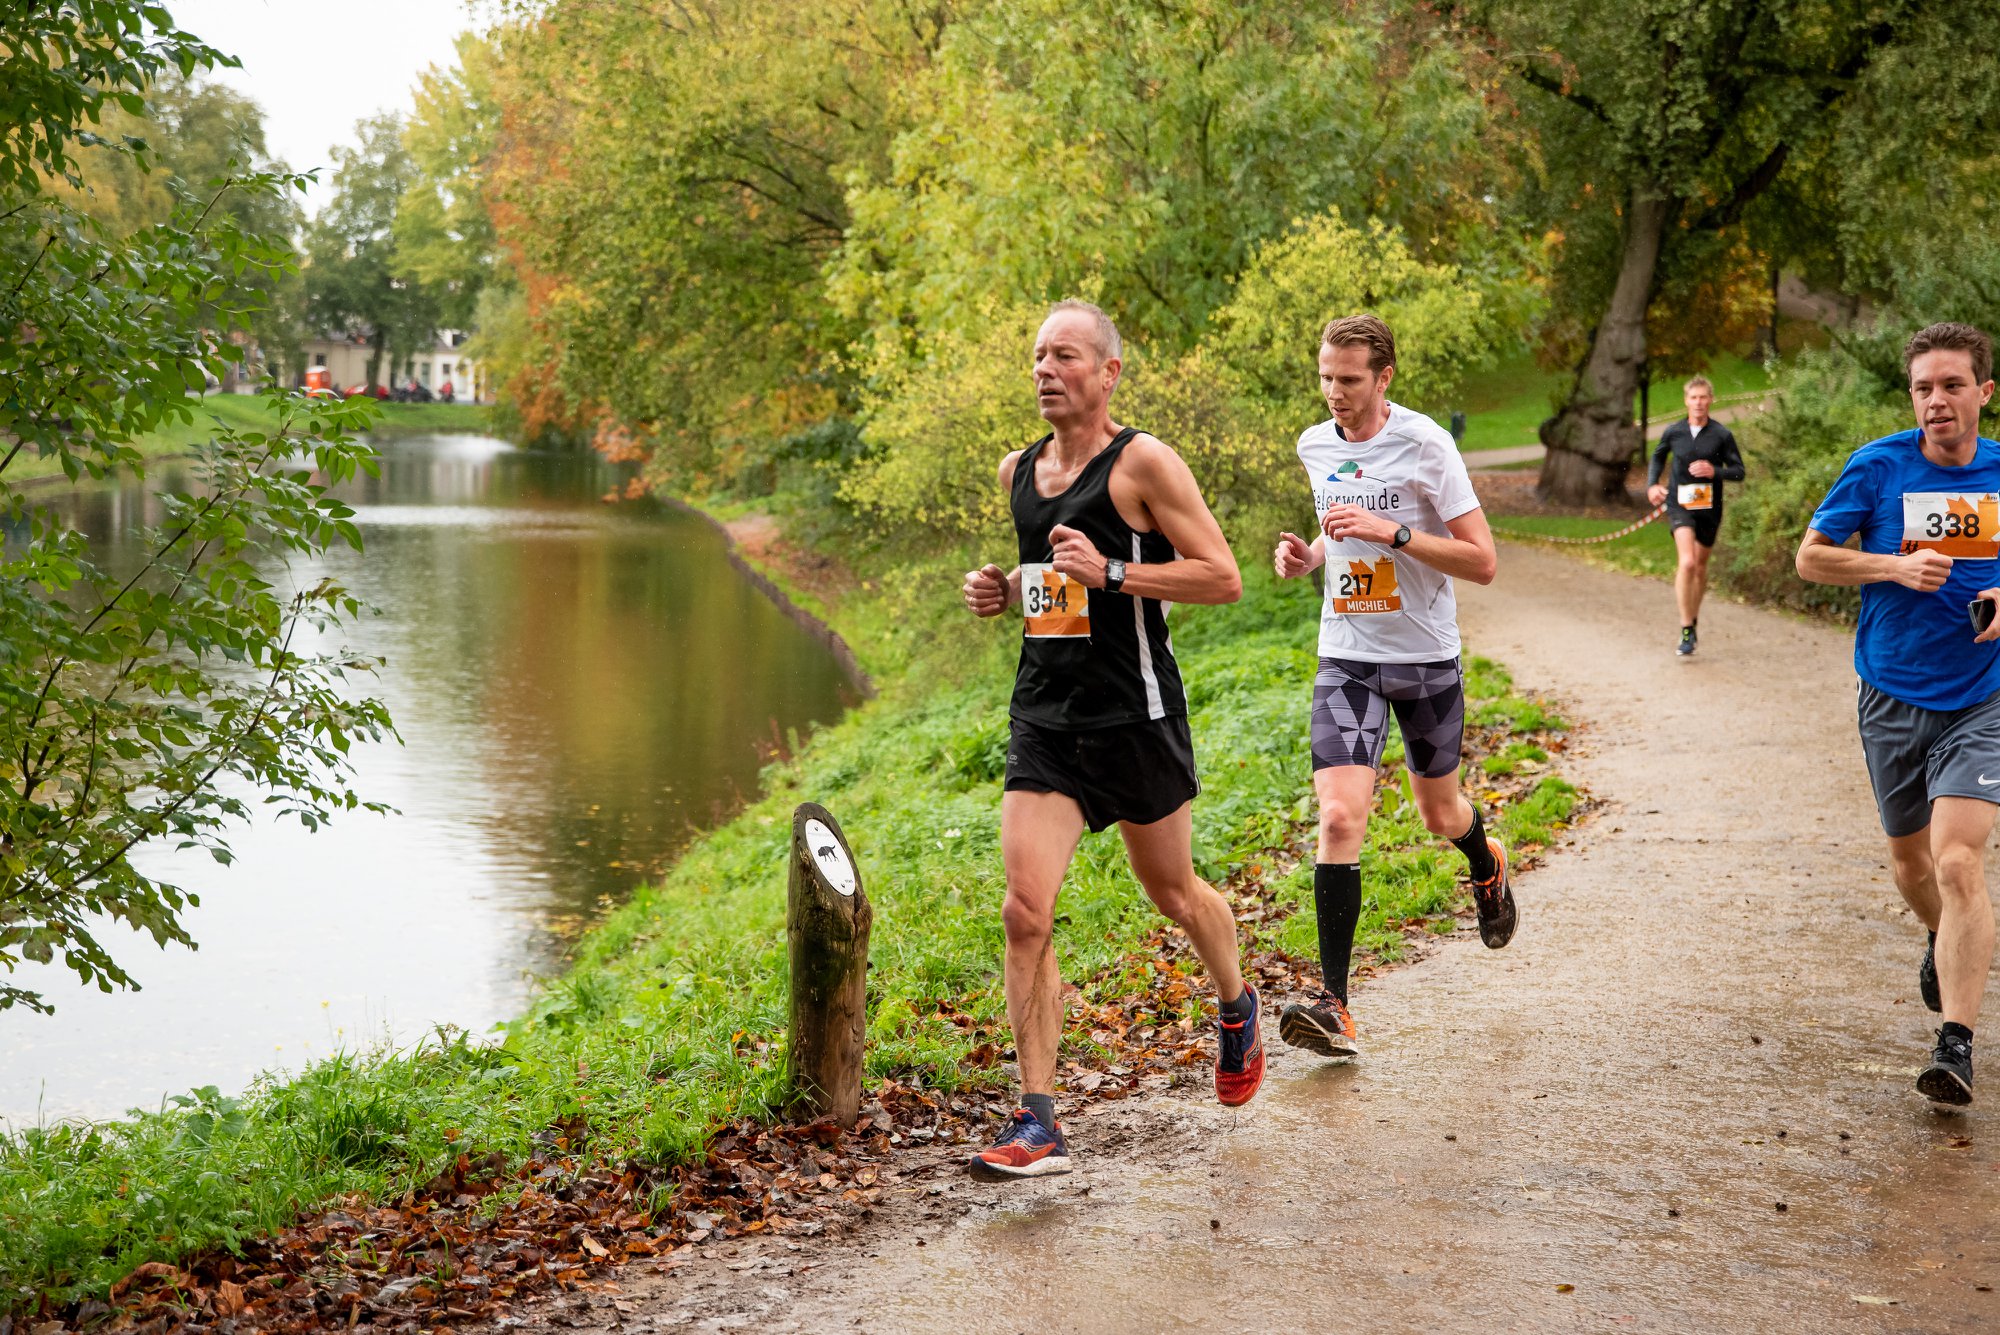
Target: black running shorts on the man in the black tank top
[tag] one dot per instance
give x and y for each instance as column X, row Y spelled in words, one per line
column 1129, row 772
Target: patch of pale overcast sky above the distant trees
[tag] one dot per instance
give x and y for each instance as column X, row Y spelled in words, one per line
column 317, row 67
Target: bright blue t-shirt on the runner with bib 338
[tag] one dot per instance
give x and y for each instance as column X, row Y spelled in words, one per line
column 1917, row 647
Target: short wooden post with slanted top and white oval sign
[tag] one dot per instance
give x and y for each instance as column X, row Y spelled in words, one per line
column 827, row 920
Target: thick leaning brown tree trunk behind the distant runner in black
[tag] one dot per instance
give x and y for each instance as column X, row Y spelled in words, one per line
column 1593, row 439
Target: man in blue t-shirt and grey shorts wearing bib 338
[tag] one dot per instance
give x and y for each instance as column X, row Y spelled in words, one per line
column 1927, row 507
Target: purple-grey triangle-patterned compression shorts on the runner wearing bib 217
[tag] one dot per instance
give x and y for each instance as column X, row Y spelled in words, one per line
column 1351, row 706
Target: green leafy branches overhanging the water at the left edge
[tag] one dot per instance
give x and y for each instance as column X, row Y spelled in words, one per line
column 161, row 694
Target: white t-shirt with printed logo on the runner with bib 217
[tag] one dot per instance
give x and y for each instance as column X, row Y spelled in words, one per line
column 1385, row 607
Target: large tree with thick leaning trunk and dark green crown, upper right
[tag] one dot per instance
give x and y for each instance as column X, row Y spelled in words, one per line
column 1661, row 129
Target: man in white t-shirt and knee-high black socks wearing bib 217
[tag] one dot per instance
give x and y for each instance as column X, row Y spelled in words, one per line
column 1399, row 523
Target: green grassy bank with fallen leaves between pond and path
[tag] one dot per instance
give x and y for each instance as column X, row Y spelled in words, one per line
column 669, row 1028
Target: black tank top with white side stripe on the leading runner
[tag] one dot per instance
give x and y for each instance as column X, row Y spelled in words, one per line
column 1121, row 672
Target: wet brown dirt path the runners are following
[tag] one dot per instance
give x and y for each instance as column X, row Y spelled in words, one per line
column 1683, row 1090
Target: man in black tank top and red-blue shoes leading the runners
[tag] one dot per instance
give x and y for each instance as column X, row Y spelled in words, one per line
column 1111, row 535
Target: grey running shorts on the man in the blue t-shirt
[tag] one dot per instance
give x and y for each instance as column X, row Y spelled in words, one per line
column 1917, row 756
